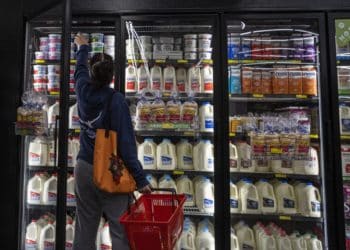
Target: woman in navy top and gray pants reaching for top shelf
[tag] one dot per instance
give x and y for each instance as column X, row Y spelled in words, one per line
column 93, row 93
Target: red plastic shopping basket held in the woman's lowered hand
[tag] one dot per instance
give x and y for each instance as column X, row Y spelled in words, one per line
column 154, row 221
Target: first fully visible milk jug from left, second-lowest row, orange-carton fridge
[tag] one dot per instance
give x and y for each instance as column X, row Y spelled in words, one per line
column 248, row 196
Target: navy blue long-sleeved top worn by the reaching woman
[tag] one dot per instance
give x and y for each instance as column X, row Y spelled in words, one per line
column 92, row 109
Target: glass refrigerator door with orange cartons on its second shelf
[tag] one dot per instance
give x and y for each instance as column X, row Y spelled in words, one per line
column 277, row 192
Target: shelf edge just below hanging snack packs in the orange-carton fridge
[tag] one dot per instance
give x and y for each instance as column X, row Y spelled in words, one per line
column 255, row 175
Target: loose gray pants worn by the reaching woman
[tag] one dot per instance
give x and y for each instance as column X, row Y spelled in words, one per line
column 91, row 203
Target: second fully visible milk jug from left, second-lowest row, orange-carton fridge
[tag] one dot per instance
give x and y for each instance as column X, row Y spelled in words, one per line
column 267, row 197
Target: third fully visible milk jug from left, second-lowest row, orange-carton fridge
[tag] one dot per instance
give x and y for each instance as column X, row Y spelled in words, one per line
column 286, row 200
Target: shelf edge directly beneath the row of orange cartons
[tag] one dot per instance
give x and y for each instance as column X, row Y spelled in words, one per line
column 273, row 98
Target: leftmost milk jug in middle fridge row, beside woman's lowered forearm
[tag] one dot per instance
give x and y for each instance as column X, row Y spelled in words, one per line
column 147, row 154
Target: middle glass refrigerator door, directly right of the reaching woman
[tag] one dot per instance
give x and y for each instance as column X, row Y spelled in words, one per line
column 170, row 83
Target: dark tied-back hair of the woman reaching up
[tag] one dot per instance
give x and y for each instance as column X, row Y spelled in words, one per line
column 101, row 67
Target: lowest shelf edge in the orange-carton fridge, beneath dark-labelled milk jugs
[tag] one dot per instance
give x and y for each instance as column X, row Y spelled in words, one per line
column 267, row 217
